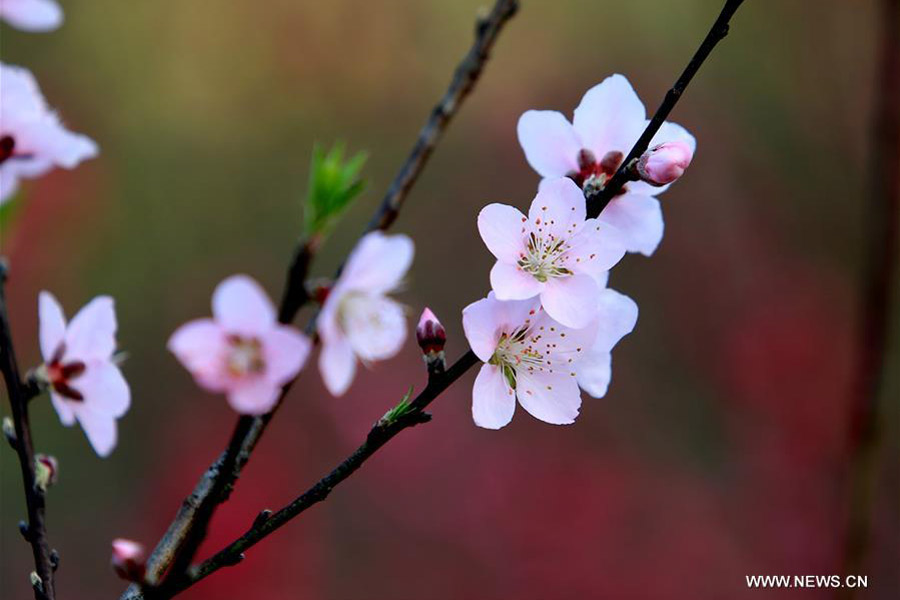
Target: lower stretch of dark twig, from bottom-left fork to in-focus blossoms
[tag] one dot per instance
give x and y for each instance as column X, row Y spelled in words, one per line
column 380, row 434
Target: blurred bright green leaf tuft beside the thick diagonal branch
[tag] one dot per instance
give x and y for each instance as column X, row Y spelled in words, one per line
column 333, row 183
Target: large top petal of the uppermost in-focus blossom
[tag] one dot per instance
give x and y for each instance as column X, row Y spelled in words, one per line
column 610, row 117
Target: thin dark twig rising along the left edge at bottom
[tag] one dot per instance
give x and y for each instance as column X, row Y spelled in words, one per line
column 35, row 531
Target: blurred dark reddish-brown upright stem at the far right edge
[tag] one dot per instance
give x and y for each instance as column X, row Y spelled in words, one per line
column 879, row 281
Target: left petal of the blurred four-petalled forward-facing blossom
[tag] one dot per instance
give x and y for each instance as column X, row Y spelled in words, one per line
column 200, row 346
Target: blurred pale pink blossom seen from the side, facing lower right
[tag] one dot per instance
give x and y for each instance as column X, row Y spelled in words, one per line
column 358, row 320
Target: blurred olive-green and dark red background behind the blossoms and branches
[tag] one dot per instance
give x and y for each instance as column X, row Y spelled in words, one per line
column 719, row 451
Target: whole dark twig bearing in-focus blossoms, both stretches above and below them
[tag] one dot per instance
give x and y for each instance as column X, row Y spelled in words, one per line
column 266, row 523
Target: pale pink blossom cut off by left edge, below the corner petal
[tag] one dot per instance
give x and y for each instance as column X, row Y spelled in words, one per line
column 32, row 138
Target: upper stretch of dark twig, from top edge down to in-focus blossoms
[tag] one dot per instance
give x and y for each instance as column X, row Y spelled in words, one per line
column 598, row 201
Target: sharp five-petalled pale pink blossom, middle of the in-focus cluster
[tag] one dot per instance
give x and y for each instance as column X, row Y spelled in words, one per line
column 553, row 252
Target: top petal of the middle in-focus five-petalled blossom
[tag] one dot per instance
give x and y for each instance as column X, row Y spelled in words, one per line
column 559, row 208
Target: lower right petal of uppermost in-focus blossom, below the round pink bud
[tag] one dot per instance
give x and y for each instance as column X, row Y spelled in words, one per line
column 638, row 218
